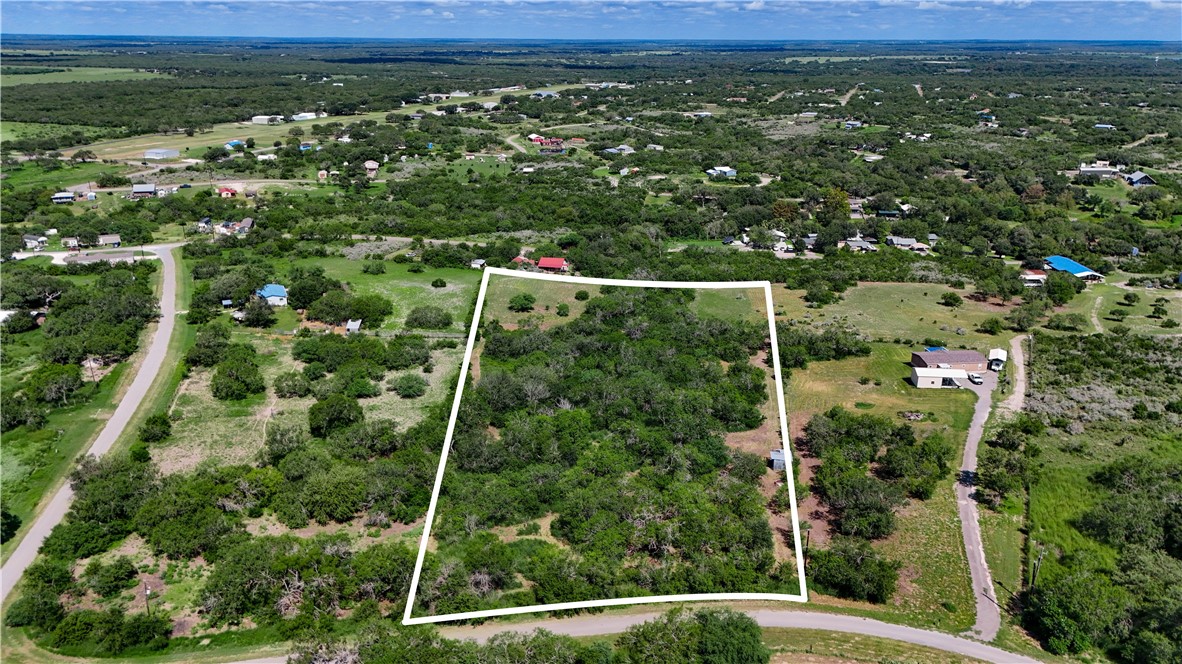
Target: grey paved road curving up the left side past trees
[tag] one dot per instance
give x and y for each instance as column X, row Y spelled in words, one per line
column 152, row 364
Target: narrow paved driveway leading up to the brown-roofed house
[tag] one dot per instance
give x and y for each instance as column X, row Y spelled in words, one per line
column 989, row 614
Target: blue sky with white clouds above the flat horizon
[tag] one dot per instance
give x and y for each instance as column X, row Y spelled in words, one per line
column 1128, row 21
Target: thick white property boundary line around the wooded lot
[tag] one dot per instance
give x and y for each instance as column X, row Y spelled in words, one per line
column 618, row 602
